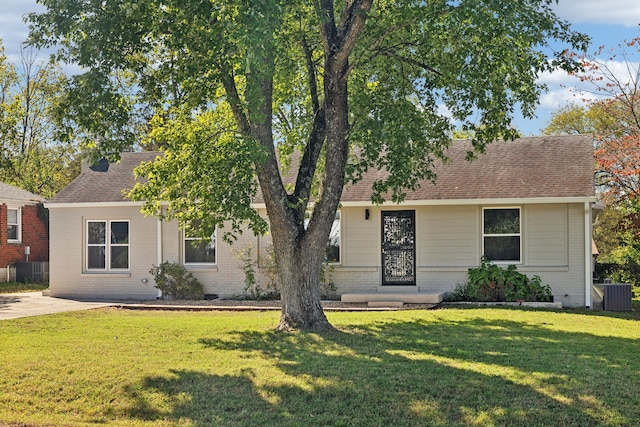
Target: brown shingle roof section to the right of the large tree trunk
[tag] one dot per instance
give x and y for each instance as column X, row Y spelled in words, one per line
column 535, row 167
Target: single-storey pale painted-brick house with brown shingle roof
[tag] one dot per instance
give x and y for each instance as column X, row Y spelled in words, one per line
column 527, row 202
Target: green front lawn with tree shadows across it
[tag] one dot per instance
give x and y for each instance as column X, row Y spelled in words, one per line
column 444, row 367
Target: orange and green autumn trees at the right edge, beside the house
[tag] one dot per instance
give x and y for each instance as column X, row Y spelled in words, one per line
column 614, row 120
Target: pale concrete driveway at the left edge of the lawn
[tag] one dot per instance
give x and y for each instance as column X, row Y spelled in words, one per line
column 25, row 304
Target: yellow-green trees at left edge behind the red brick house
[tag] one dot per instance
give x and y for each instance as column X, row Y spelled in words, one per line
column 30, row 155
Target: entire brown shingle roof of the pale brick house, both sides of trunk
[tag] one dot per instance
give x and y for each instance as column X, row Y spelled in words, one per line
column 535, row 167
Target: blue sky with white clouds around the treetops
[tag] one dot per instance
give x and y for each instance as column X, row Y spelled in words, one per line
column 608, row 22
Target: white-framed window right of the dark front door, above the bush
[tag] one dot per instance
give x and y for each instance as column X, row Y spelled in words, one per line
column 501, row 234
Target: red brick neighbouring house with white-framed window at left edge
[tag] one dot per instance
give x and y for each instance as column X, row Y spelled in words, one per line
column 23, row 229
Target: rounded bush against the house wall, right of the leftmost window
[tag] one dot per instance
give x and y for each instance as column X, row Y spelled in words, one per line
column 176, row 282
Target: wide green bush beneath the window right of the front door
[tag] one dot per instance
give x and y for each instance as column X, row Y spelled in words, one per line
column 491, row 283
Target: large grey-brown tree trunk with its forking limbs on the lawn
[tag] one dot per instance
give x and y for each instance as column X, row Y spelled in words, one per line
column 300, row 252
